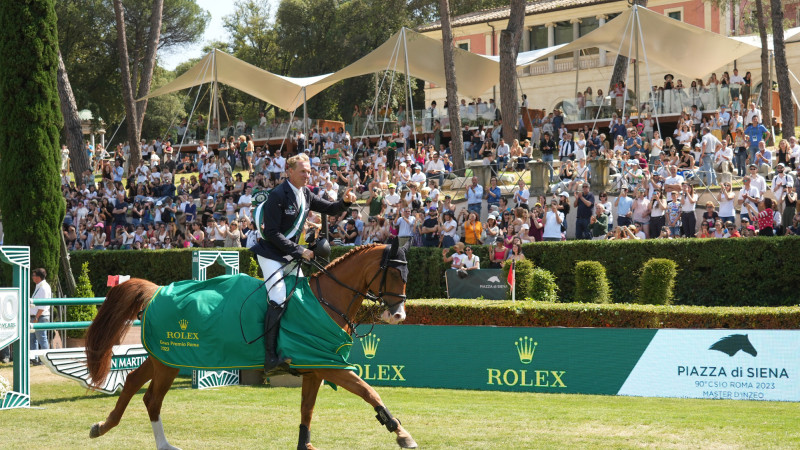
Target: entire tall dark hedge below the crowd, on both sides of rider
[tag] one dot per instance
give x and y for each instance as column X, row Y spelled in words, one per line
column 711, row 272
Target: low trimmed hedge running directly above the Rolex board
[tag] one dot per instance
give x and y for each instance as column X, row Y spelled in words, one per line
column 543, row 314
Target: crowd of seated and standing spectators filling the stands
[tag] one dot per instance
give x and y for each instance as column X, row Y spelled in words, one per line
column 206, row 199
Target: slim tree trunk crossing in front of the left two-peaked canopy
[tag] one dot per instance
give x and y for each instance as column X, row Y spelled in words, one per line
column 453, row 112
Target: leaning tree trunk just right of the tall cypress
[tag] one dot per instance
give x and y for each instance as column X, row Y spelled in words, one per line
column 79, row 160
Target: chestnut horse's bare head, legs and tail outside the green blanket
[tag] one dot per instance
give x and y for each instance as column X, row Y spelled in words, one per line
column 345, row 283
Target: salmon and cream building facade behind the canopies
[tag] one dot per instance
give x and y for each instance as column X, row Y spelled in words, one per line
column 550, row 83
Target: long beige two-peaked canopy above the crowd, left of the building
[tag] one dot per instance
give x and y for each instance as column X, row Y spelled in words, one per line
column 405, row 51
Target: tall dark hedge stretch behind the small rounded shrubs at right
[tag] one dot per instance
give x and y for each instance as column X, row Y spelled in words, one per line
column 711, row 272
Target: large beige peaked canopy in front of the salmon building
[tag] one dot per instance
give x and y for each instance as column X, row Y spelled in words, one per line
column 667, row 43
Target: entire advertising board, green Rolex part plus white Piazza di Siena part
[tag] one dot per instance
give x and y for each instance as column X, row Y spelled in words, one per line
column 730, row 364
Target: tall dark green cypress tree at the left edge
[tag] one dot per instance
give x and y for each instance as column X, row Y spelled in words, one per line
column 30, row 118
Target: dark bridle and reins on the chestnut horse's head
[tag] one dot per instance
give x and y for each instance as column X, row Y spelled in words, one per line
column 386, row 263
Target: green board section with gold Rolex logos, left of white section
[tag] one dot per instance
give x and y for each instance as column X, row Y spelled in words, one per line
column 553, row 360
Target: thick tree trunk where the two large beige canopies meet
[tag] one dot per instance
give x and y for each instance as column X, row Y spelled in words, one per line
column 509, row 48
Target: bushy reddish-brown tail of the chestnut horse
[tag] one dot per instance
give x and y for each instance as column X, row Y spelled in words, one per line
column 114, row 317
